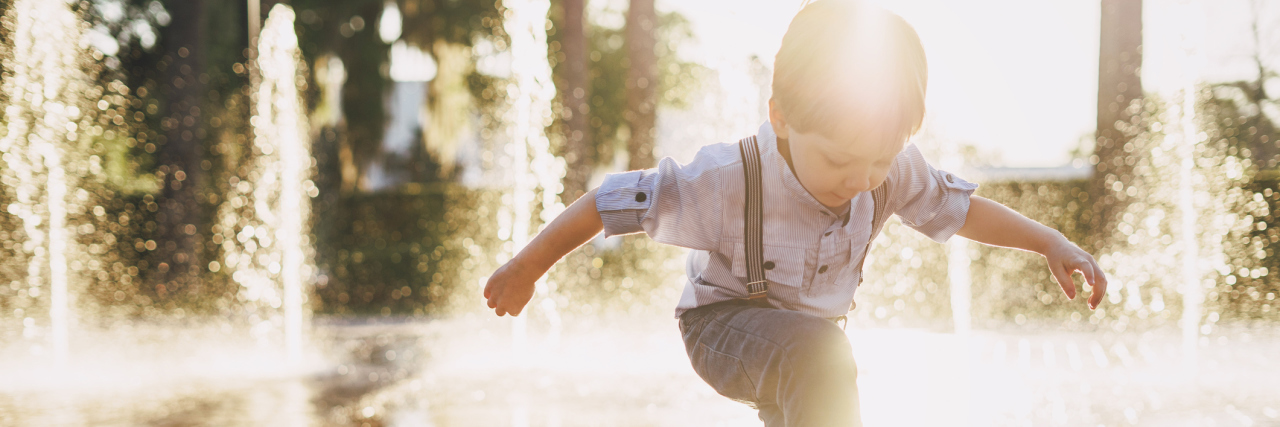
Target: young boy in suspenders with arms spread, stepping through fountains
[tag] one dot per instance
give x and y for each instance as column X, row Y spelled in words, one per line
column 849, row 89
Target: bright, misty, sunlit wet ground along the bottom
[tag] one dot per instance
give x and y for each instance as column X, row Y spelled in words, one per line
column 632, row 370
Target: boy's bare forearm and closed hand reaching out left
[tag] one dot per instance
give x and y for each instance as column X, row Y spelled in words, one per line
column 513, row 286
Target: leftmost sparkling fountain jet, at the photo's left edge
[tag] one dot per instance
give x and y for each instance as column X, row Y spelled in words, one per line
column 43, row 82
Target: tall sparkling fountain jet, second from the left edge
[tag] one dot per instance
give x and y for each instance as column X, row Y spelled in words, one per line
column 271, row 259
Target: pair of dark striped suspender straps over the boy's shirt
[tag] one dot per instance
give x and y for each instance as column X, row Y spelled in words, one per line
column 753, row 222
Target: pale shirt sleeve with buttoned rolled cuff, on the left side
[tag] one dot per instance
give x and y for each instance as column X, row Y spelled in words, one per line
column 674, row 204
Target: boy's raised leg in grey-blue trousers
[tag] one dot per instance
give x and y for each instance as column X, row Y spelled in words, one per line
column 797, row 369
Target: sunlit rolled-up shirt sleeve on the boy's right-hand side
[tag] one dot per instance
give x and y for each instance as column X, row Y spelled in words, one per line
column 931, row 201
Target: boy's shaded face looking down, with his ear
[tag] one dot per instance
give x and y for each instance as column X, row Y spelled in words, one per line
column 834, row 171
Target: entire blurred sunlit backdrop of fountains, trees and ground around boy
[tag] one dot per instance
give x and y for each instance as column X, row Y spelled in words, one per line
column 284, row 213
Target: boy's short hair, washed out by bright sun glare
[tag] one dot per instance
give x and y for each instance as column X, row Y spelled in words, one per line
column 849, row 68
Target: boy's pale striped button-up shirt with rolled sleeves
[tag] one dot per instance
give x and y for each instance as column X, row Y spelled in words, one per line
column 812, row 251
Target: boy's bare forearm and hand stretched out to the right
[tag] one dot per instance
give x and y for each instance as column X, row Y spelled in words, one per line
column 998, row 226
